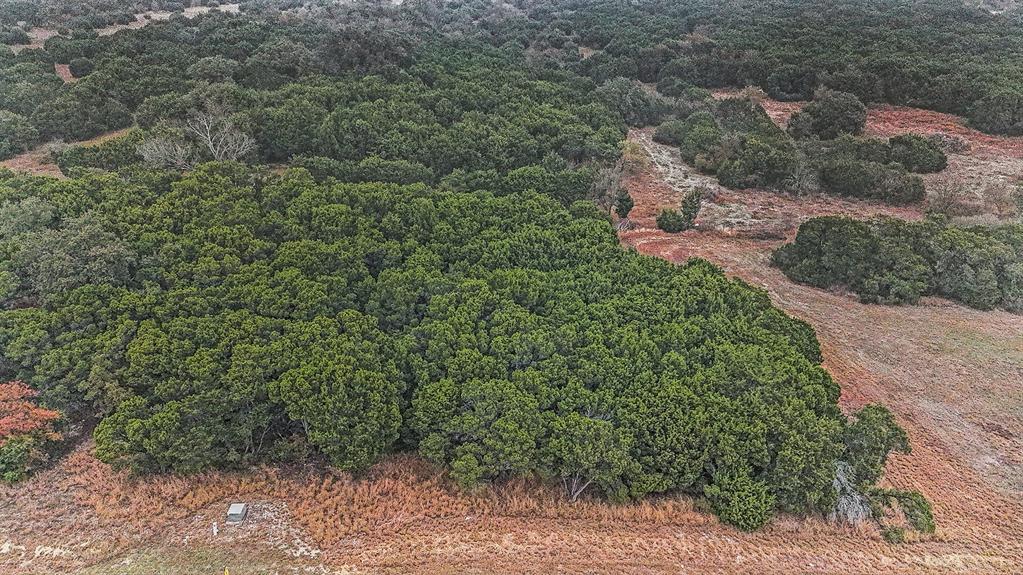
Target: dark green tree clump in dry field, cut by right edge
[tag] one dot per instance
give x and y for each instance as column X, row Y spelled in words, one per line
column 892, row 261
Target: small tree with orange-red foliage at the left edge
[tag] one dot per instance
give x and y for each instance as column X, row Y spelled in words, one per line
column 24, row 427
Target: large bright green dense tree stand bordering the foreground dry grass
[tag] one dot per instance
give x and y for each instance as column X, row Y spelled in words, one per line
column 231, row 317
